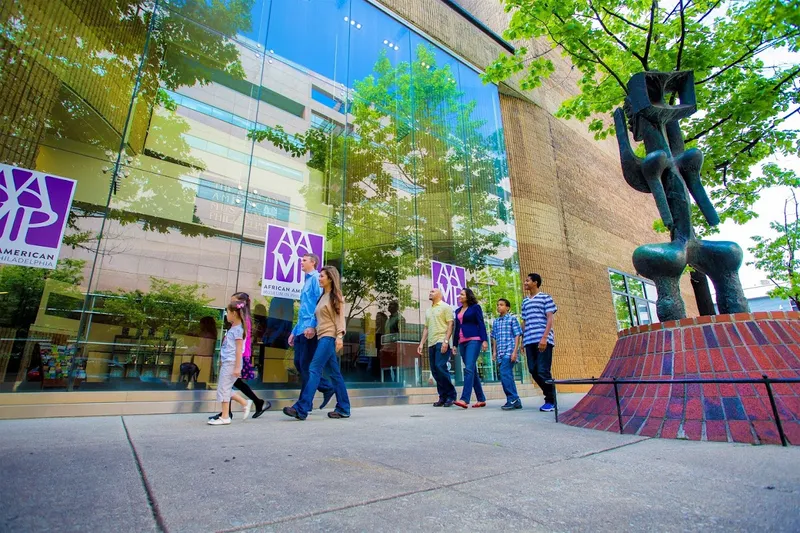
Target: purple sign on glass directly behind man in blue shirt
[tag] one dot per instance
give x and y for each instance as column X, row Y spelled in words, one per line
column 284, row 249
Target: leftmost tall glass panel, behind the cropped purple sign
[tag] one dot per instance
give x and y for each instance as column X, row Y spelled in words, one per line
column 66, row 91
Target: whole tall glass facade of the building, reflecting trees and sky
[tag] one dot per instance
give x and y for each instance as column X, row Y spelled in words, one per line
column 190, row 126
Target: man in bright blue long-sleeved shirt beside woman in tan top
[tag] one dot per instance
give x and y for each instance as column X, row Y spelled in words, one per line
column 304, row 334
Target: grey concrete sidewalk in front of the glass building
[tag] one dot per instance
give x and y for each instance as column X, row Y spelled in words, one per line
column 399, row 468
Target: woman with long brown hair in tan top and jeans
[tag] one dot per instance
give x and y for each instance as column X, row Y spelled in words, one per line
column 330, row 332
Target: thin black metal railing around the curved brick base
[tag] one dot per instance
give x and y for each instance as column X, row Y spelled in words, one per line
column 765, row 380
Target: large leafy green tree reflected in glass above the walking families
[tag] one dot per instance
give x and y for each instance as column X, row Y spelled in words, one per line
column 418, row 177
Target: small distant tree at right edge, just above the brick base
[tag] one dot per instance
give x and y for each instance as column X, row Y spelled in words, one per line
column 779, row 256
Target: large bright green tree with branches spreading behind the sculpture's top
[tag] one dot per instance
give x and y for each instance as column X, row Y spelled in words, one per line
column 745, row 100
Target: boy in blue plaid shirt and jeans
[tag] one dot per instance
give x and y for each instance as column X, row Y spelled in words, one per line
column 506, row 340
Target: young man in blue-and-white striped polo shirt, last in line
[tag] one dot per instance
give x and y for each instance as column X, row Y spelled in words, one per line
column 537, row 316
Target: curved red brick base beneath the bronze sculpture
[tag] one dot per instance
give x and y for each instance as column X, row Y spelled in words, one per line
column 725, row 346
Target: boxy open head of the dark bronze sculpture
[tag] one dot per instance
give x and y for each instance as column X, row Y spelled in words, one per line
column 648, row 99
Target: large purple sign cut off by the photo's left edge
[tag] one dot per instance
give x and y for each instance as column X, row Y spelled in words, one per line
column 34, row 208
